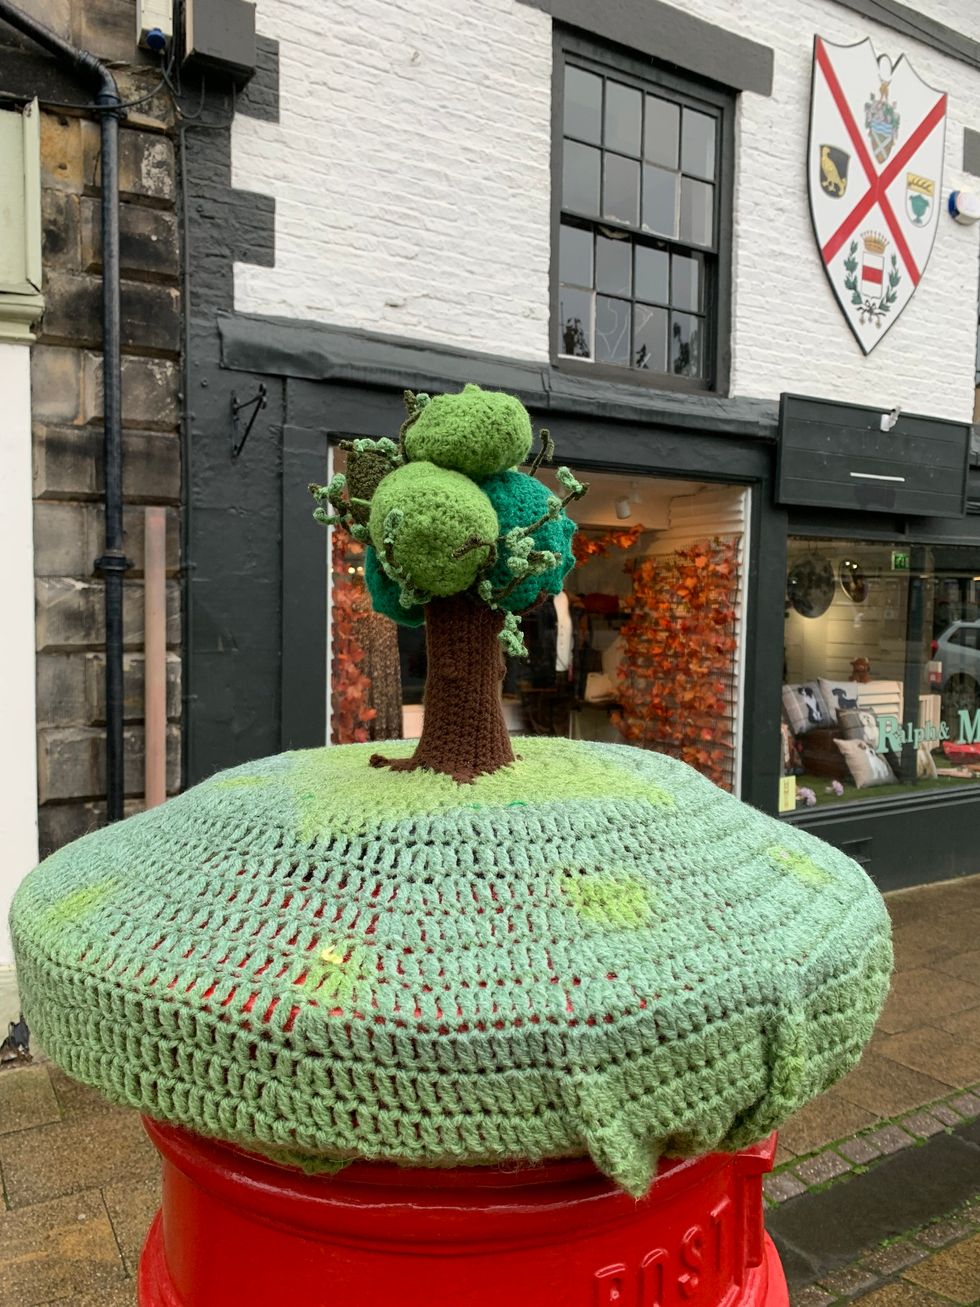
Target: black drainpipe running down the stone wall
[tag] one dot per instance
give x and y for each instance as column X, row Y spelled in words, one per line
column 113, row 564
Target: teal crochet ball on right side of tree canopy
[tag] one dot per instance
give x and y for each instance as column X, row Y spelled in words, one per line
column 519, row 501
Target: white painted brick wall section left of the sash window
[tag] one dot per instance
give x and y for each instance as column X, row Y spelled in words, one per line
column 411, row 171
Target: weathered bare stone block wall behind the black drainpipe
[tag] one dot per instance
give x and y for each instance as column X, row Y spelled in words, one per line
column 67, row 408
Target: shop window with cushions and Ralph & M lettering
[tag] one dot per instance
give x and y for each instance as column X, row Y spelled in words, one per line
column 881, row 692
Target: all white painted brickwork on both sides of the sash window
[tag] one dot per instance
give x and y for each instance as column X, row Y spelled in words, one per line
column 412, row 180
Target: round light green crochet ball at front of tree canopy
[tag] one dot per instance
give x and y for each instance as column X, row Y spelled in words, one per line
column 433, row 530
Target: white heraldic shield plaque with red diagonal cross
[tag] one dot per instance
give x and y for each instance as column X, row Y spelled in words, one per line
column 875, row 177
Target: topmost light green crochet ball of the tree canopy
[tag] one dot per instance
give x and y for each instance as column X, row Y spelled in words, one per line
column 476, row 432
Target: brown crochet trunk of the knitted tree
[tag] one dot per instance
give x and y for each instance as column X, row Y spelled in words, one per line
column 463, row 733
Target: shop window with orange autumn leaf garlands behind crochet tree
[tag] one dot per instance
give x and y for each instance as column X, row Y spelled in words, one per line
column 642, row 646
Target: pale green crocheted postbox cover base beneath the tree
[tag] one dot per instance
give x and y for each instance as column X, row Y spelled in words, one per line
column 593, row 951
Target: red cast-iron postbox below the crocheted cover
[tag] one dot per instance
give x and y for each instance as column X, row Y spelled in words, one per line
column 236, row 1231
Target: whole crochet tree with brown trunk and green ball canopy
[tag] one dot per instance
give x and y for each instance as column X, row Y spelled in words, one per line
column 461, row 540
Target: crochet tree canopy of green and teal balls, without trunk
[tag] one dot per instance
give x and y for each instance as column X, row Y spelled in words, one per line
column 445, row 510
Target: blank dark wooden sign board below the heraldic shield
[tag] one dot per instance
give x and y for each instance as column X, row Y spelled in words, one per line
column 837, row 457
